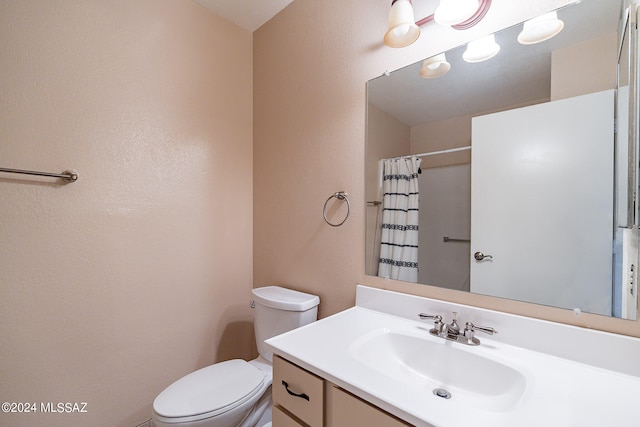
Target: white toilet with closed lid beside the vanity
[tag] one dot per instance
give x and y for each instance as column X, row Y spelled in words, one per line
column 237, row 393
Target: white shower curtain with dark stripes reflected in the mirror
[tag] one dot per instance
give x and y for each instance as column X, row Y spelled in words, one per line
column 399, row 239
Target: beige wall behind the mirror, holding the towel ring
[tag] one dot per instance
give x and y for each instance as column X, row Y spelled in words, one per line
column 311, row 63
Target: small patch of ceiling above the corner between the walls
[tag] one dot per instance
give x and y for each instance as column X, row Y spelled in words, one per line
column 248, row 14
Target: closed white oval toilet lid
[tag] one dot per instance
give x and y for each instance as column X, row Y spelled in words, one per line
column 212, row 390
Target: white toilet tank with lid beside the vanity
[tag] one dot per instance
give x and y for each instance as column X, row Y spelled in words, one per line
column 278, row 310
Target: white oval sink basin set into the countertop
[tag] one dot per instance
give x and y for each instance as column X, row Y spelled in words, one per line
column 428, row 363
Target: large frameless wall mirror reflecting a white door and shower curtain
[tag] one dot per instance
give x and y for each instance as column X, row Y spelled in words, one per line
column 507, row 177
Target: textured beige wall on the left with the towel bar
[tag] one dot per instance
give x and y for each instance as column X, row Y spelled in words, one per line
column 140, row 272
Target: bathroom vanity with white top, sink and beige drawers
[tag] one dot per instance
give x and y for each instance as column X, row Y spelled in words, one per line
column 377, row 364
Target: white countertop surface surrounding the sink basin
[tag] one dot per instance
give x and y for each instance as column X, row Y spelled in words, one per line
column 558, row 392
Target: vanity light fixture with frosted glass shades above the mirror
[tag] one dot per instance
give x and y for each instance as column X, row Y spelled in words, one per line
column 403, row 29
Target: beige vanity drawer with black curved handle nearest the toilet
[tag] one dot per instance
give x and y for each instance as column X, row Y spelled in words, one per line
column 298, row 392
